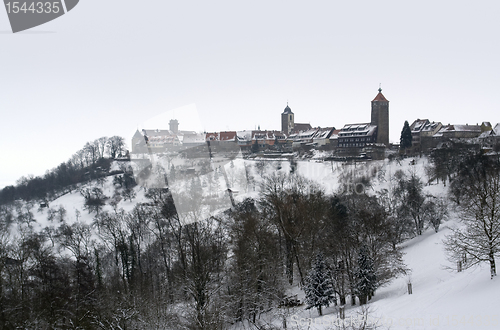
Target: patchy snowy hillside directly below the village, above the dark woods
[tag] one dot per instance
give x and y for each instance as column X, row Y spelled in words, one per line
column 244, row 178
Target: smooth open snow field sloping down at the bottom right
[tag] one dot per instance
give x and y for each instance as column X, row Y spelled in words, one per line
column 442, row 298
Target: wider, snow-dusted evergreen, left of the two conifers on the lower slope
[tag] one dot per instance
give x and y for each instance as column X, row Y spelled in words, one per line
column 319, row 285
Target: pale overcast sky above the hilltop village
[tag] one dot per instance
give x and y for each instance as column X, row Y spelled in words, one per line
column 107, row 67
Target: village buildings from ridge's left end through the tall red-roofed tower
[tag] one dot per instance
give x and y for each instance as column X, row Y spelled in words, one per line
column 292, row 136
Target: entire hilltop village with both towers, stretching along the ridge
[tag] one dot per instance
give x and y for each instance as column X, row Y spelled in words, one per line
column 367, row 138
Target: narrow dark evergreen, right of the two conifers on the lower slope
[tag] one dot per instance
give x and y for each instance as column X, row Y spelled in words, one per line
column 365, row 277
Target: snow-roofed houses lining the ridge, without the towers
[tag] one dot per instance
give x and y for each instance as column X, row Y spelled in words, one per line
column 426, row 135
